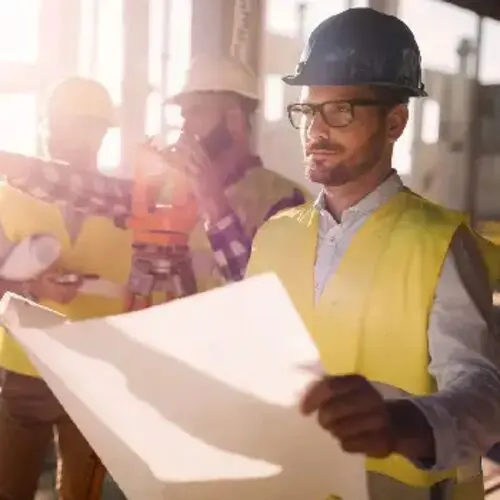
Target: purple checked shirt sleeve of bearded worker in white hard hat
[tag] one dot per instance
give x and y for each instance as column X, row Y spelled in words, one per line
column 232, row 245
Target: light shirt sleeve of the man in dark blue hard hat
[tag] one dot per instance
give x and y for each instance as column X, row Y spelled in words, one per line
column 464, row 349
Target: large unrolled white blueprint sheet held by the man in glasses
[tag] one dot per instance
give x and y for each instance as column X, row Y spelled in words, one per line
column 195, row 399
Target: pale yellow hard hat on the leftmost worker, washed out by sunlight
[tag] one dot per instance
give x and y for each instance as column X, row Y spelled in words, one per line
column 78, row 96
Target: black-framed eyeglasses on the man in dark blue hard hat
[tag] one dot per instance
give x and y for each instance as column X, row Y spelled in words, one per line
column 335, row 114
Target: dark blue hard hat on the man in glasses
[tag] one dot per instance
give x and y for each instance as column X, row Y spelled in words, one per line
column 361, row 46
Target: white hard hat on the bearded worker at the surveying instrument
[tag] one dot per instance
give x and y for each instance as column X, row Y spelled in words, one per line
column 212, row 73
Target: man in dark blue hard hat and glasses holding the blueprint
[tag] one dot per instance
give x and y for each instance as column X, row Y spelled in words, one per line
column 394, row 290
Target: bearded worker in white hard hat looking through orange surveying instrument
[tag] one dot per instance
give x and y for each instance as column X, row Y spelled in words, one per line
column 235, row 194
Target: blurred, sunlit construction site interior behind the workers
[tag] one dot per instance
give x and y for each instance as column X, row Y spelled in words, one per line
column 140, row 49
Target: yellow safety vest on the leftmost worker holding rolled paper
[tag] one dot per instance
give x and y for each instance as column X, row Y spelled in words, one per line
column 100, row 248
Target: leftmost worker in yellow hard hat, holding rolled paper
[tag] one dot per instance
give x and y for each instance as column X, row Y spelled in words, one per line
column 78, row 114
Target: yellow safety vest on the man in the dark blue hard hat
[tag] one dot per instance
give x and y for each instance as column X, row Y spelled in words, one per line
column 372, row 318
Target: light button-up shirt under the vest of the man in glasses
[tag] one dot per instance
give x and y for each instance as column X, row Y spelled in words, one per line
column 464, row 349
